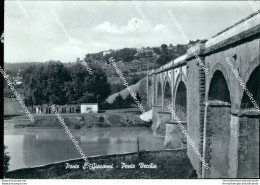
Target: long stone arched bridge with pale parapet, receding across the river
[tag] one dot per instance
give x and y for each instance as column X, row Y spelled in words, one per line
column 226, row 131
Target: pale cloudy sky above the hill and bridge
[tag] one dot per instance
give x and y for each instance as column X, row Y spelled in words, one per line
column 64, row 30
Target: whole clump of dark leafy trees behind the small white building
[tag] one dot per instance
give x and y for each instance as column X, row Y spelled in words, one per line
column 56, row 83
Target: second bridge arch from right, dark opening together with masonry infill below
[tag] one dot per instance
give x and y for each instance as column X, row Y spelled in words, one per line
column 218, row 130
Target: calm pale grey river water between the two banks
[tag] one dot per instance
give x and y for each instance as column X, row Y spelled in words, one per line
column 33, row 147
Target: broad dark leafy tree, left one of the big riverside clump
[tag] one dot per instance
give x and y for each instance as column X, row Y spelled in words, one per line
column 45, row 83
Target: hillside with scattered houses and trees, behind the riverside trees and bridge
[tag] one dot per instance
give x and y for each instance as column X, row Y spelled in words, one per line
column 133, row 62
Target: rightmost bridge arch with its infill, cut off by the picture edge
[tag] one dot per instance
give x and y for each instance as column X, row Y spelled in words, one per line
column 249, row 127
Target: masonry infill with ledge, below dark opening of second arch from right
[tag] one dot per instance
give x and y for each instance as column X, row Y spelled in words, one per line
column 217, row 139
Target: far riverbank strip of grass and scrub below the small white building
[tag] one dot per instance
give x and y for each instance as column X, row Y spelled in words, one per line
column 78, row 121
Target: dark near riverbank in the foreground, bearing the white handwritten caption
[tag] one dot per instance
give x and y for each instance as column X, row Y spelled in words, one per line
column 165, row 164
